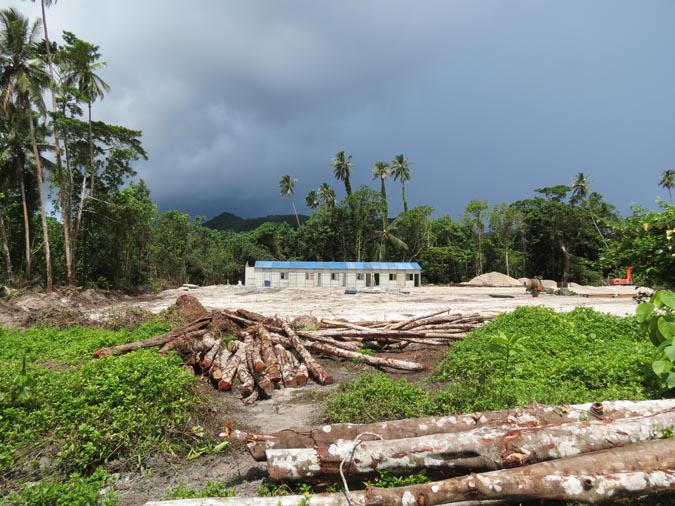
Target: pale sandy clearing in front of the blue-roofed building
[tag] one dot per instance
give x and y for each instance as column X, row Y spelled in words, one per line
column 393, row 305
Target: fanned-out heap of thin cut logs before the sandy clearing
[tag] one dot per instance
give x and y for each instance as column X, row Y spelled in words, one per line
column 258, row 355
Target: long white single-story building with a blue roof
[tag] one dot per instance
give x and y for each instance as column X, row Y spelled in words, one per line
column 386, row 275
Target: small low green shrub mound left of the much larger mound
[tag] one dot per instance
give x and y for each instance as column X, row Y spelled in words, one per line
column 375, row 397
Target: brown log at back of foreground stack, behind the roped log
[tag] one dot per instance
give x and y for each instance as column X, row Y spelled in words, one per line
column 533, row 416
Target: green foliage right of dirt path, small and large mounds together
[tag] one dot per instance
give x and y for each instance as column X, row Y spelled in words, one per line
column 530, row 354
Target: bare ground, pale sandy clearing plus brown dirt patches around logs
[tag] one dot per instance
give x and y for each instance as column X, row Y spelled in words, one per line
column 289, row 408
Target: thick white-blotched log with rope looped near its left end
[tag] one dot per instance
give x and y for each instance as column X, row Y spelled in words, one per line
column 479, row 449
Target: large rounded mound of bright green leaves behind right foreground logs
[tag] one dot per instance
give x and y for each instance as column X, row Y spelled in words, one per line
column 574, row 357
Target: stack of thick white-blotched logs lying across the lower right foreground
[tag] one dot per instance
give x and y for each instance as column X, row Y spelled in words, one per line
column 596, row 452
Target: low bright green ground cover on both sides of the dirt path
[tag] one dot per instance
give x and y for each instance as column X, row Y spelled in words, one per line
column 68, row 423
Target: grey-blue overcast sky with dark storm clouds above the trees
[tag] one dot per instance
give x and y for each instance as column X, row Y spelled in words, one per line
column 489, row 99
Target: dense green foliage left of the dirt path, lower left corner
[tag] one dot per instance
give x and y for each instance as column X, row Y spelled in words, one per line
column 56, row 402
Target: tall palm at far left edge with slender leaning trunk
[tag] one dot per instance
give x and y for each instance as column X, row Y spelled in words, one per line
column 23, row 78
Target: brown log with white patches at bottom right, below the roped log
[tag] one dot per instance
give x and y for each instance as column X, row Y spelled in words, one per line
column 607, row 475
